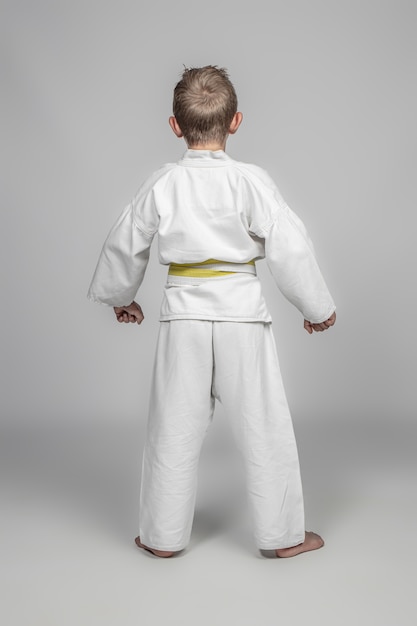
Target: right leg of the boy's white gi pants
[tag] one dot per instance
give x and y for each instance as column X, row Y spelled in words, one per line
column 247, row 380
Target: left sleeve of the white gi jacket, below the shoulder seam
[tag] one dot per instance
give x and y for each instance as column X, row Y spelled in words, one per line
column 125, row 254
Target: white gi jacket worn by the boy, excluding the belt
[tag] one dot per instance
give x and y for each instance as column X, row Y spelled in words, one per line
column 209, row 206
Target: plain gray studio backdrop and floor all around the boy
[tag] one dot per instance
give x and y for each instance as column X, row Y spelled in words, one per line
column 328, row 93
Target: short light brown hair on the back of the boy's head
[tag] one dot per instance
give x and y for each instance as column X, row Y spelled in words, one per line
column 204, row 104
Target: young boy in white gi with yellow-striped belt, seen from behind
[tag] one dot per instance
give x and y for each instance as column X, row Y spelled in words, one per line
column 214, row 218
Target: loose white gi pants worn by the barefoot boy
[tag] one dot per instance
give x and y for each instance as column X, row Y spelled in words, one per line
column 236, row 363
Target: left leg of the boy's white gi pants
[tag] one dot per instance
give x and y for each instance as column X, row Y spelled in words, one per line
column 181, row 409
